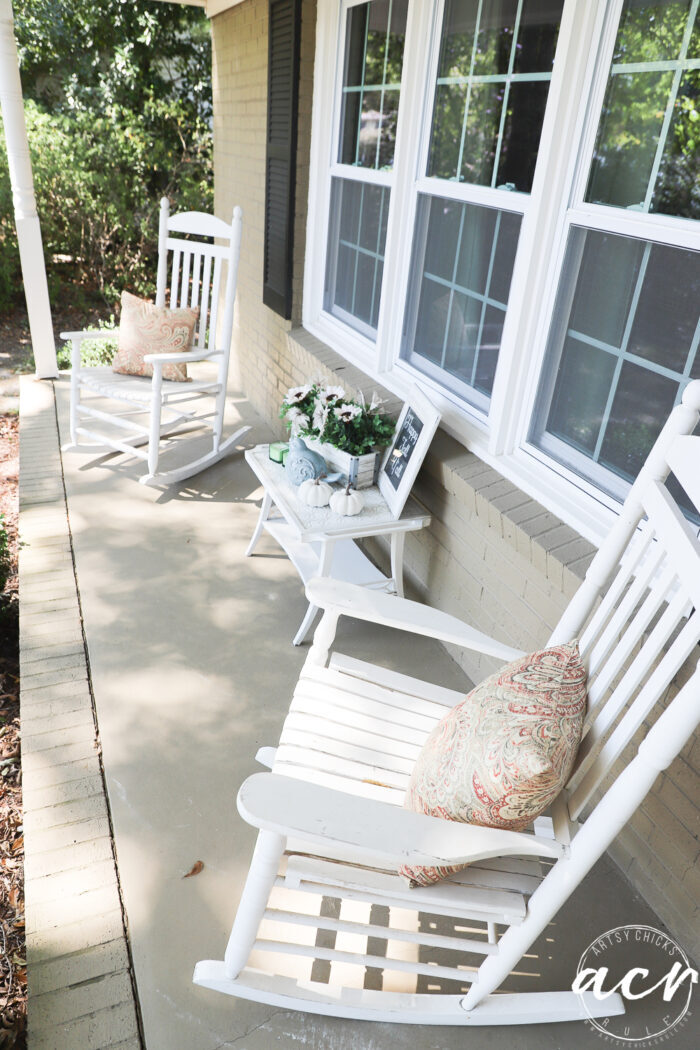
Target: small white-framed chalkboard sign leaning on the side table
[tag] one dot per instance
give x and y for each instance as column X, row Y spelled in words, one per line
column 414, row 433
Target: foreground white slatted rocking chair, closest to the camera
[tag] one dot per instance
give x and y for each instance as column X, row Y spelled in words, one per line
column 326, row 926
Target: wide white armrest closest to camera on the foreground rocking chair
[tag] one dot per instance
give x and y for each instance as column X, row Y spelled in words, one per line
column 288, row 807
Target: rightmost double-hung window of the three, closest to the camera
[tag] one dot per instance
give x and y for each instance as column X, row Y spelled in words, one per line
column 625, row 335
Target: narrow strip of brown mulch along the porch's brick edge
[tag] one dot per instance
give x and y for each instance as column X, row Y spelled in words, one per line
column 13, row 964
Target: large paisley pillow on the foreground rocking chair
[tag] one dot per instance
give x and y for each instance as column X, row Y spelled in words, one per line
column 502, row 757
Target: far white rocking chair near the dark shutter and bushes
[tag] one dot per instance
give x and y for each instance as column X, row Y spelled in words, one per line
column 195, row 281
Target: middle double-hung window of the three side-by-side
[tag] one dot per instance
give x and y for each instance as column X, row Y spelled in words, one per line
column 490, row 99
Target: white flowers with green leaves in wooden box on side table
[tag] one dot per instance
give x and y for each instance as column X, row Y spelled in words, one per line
column 327, row 414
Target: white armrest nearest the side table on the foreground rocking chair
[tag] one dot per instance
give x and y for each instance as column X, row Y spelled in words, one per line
column 349, row 600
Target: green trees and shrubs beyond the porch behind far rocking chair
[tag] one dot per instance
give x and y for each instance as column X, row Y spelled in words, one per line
column 118, row 102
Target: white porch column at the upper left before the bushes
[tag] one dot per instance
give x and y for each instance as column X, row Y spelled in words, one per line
column 29, row 232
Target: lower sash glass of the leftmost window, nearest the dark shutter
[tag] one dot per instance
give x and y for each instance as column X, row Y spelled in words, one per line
column 356, row 253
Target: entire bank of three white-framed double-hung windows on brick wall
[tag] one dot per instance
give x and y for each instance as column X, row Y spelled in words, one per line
column 504, row 208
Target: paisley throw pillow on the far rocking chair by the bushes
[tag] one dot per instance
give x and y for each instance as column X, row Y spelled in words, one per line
column 147, row 329
